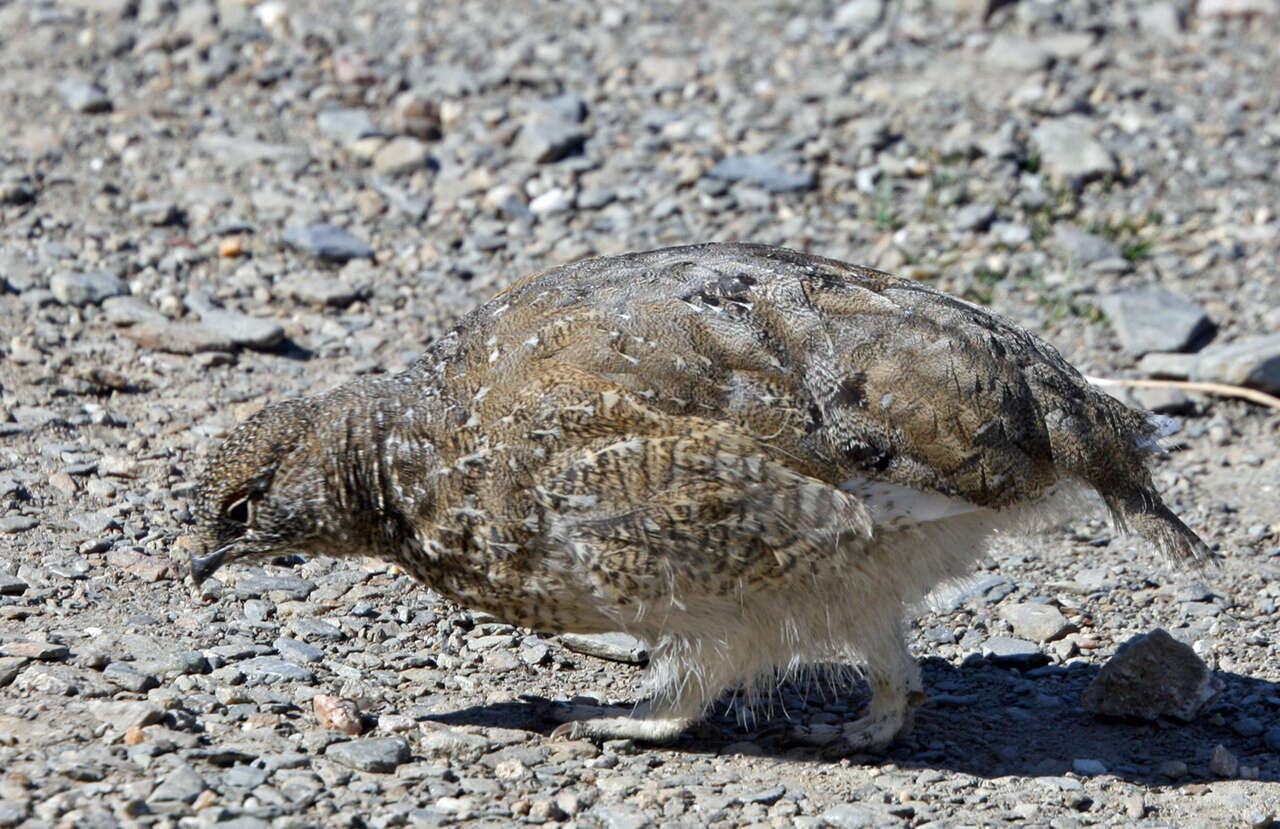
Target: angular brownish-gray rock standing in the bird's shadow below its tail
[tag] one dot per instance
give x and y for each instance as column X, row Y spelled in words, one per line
column 1150, row 677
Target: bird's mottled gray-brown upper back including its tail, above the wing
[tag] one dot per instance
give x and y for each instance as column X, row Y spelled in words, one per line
column 844, row 374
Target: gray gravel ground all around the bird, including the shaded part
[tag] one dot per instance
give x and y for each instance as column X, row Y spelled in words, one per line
column 205, row 208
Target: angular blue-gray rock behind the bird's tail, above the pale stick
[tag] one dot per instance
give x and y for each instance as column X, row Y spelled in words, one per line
column 1155, row 320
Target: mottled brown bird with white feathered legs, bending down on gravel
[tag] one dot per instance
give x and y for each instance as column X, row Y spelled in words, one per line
column 749, row 457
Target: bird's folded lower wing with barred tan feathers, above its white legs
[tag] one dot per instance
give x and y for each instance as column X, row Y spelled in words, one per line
column 702, row 514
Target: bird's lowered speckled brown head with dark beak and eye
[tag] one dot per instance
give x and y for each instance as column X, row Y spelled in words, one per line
column 263, row 493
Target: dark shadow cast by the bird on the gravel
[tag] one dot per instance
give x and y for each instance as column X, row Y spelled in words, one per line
column 985, row 721
